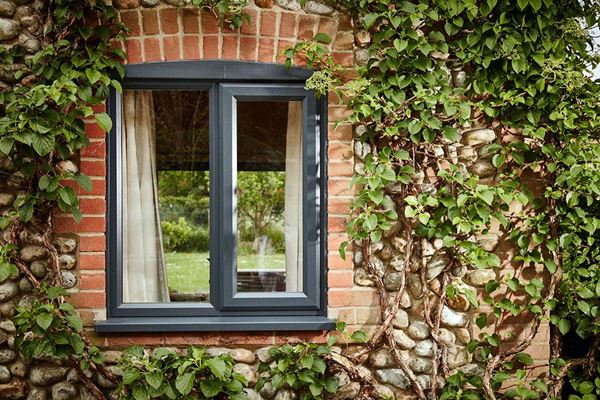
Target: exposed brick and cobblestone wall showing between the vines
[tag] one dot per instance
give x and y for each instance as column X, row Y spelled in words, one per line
column 161, row 30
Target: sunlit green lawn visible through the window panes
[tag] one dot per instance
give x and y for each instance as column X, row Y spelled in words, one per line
column 188, row 272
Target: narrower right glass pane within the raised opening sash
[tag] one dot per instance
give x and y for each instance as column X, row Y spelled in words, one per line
column 269, row 196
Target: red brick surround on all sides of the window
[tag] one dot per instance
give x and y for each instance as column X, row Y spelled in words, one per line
column 166, row 33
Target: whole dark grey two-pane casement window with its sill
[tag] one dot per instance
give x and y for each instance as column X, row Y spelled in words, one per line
column 216, row 200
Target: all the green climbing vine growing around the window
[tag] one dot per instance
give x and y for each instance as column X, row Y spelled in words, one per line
column 474, row 117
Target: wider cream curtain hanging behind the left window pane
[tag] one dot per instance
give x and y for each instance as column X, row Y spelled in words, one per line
column 144, row 276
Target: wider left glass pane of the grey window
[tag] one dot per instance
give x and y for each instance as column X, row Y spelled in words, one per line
column 165, row 196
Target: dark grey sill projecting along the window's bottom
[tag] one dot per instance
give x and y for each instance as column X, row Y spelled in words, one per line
column 214, row 324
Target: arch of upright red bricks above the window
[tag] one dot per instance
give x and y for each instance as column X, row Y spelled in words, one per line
column 169, row 33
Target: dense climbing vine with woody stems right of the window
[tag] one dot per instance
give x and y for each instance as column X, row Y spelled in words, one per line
column 480, row 117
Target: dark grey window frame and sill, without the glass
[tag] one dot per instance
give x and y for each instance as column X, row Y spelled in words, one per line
column 226, row 82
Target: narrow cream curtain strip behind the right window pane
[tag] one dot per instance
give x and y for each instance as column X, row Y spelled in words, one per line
column 293, row 199
